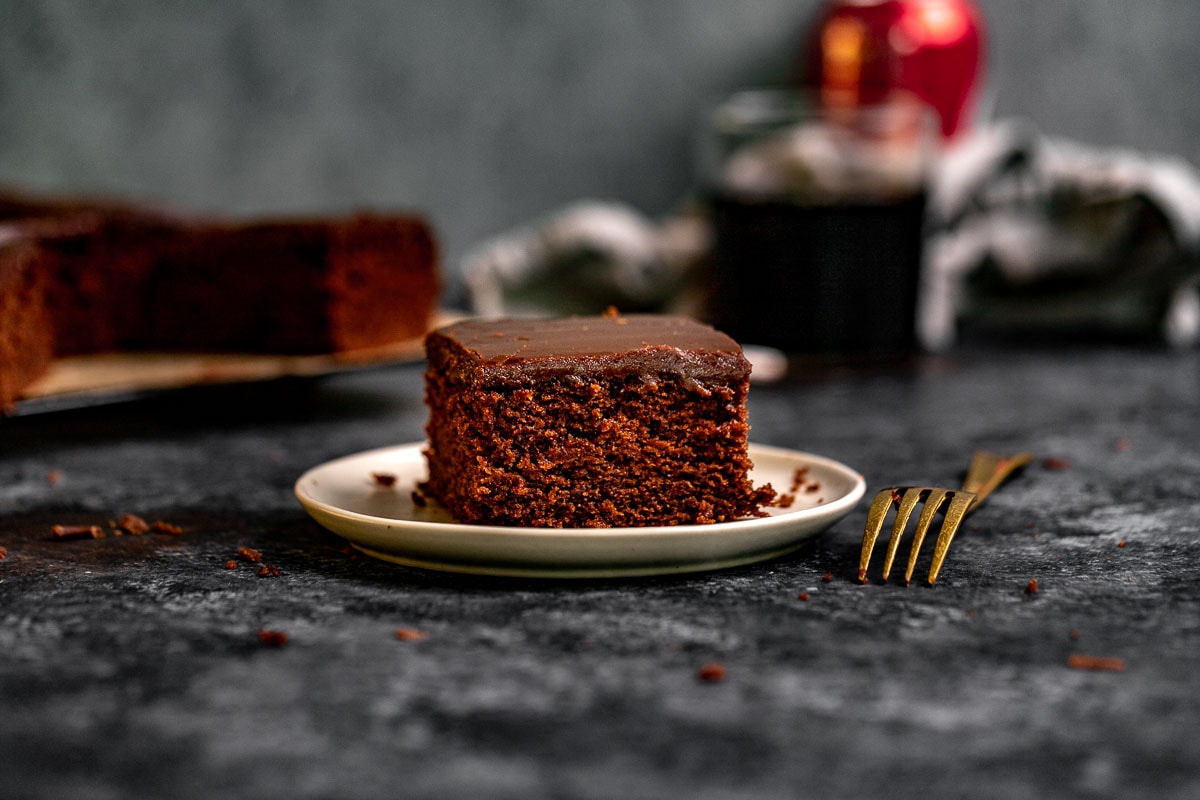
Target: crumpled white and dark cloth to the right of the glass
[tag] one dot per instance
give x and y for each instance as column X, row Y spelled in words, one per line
column 1043, row 234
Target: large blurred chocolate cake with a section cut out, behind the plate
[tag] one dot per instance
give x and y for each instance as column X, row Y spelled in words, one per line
column 81, row 276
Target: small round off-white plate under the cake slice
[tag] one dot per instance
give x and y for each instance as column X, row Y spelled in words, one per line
column 388, row 524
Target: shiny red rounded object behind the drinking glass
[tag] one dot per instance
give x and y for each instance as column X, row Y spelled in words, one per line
column 862, row 51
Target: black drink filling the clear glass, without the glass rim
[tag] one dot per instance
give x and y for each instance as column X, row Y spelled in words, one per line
column 832, row 279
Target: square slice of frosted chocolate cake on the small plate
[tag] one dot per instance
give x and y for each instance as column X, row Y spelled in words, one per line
column 598, row 422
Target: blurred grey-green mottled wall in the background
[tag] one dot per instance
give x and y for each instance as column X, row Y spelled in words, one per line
column 487, row 113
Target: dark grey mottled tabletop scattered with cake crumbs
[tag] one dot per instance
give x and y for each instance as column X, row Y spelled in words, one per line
column 133, row 666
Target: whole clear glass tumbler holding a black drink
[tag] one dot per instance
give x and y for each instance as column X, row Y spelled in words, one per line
column 819, row 225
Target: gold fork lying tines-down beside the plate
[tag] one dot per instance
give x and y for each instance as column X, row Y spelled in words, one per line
column 987, row 472
